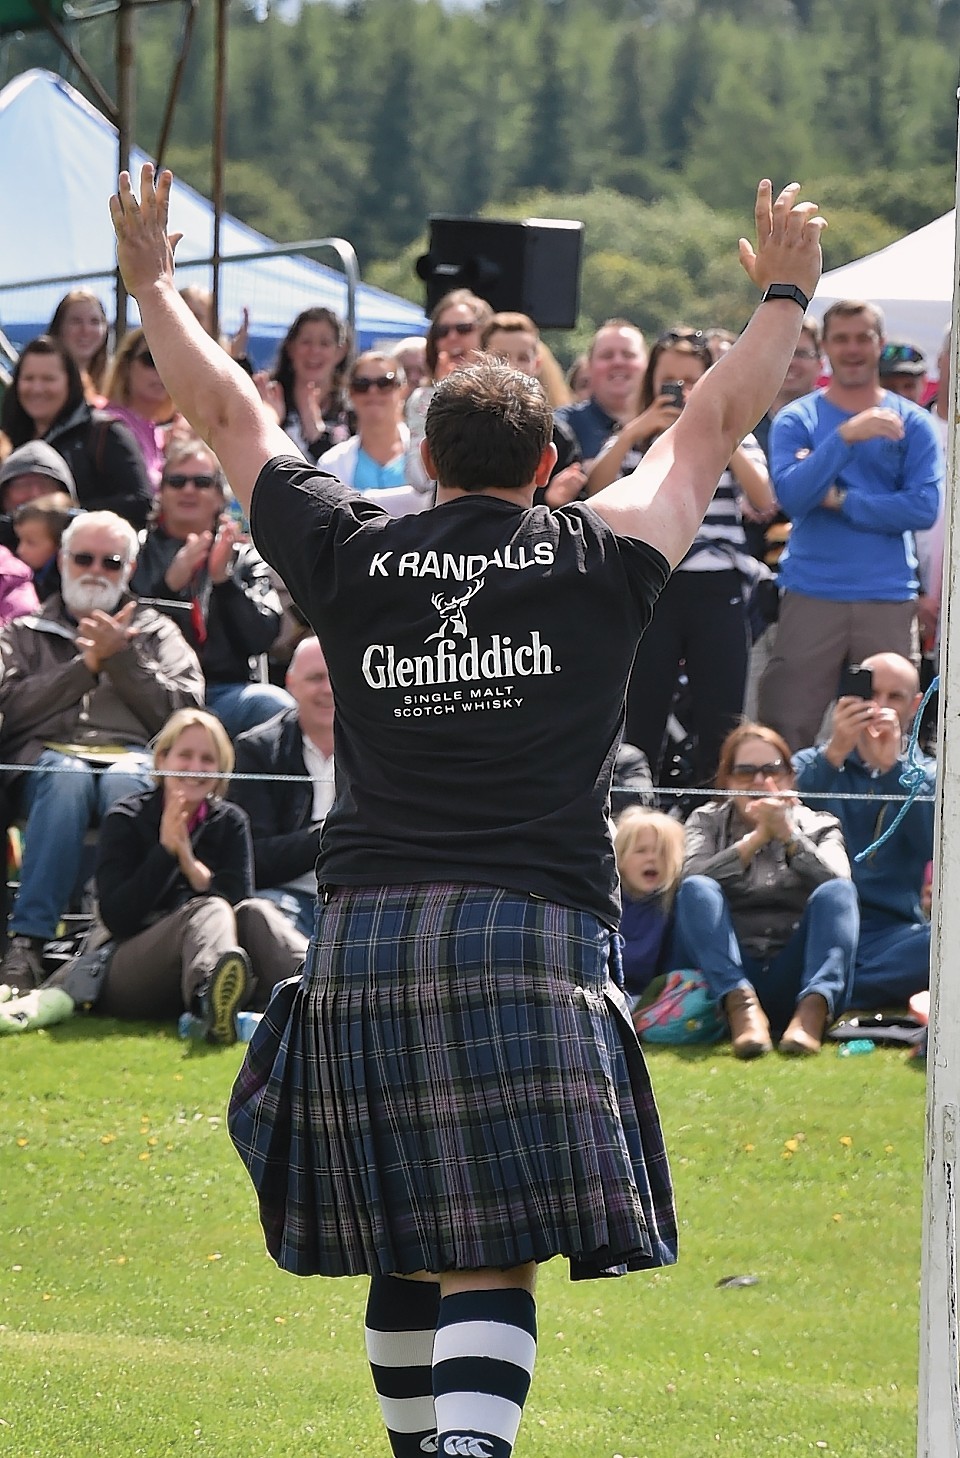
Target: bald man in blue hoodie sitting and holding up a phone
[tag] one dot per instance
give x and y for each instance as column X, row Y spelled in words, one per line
column 864, row 756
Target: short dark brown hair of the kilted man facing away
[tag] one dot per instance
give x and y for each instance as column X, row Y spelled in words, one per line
column 488, row 425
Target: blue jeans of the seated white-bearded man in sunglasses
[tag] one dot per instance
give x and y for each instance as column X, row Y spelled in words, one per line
column 61, row 808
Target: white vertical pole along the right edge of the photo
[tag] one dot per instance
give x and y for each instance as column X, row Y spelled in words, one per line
column 939, row 1416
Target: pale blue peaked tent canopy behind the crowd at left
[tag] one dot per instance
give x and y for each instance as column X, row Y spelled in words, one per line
column 58, row 170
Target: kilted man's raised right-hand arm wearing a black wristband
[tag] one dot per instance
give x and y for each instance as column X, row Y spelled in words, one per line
column 663, row 502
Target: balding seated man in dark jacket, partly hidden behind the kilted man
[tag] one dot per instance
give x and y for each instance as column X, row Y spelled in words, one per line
column 287, row 817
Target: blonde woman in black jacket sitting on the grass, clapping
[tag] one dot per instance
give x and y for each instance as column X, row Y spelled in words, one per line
column 174, row 880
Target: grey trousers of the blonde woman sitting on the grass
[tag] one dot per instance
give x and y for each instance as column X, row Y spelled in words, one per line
column 157, row 973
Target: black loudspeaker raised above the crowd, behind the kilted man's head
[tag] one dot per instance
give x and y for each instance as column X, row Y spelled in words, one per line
column 533, row 266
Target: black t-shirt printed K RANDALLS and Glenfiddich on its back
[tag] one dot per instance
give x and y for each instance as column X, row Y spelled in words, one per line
column 479, row 657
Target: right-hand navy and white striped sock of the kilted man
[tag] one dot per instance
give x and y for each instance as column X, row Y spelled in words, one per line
column 484, row 1361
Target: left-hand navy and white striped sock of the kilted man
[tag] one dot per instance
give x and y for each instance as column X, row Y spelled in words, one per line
column 400, row 1328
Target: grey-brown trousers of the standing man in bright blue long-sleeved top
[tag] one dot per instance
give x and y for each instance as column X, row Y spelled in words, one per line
column 815, row 639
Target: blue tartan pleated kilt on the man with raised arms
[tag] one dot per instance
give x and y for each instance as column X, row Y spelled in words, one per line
column 453, row 1084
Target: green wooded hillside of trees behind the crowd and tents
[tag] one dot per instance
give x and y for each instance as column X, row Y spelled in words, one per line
column 651, row 120
